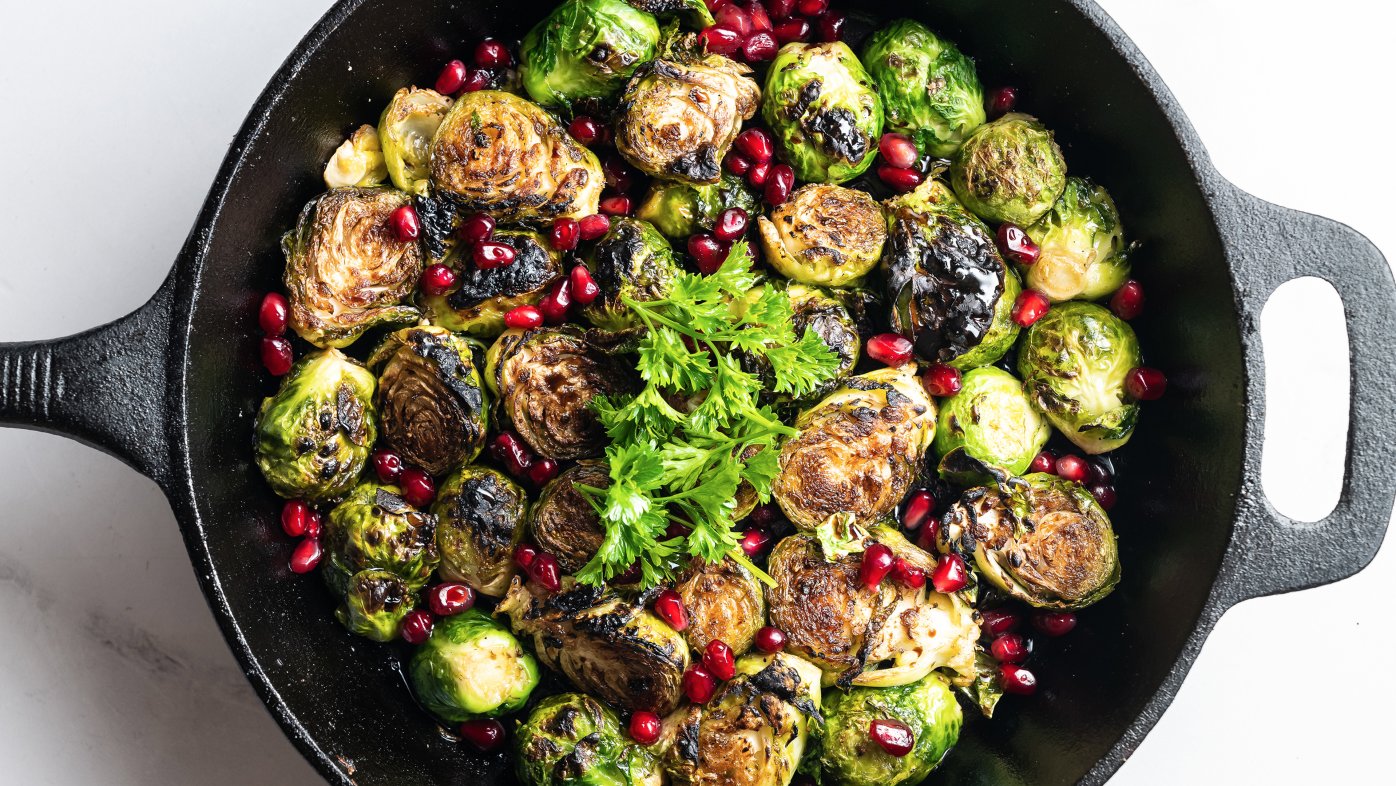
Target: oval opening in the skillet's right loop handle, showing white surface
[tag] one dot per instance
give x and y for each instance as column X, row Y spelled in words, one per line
column 1307, row 392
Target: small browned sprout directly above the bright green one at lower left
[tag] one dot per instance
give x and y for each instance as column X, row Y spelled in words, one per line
column 481, row 519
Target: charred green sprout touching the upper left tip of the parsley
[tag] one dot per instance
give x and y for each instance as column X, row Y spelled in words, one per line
column 633, row 260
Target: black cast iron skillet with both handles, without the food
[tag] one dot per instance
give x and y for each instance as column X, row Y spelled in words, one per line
column 172, row 392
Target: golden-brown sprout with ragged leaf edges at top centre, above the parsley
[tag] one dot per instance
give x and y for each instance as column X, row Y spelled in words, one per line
column 678, row 121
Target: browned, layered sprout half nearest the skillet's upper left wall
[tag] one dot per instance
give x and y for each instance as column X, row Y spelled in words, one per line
column 347, row 270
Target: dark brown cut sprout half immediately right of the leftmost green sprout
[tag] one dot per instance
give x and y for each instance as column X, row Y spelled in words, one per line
column 431, row 397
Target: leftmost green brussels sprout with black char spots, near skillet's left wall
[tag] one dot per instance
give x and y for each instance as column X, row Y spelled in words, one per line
column 313, row 438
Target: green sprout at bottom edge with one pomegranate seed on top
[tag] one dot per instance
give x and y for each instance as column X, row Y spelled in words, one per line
column 849, row 755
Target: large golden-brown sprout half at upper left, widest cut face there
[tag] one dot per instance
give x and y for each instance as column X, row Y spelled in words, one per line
column 502, row 154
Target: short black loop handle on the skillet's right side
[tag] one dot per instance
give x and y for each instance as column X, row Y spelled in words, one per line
column 1271, row 245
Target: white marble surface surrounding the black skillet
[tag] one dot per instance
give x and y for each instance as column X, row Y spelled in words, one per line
column 114, row 122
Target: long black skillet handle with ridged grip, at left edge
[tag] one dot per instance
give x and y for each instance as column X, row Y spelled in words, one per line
column 107, row 387
